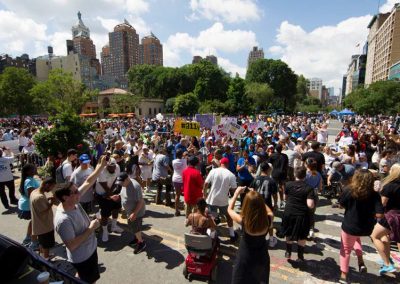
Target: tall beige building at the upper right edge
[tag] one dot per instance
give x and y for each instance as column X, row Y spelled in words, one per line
column 383, row 45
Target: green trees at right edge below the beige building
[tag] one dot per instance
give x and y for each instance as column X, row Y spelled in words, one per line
column 380, row 97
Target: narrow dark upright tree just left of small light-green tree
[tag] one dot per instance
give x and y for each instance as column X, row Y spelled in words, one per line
column 236, row 103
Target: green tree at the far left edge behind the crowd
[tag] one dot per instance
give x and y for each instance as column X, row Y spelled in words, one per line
column 15, row 97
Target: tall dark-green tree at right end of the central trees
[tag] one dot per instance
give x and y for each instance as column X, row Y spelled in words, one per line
column 278, row 75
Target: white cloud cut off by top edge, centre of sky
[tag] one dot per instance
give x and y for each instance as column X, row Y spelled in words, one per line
column 230, row 11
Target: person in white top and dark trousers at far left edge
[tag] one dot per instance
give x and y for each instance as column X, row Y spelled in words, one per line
column 7, row 178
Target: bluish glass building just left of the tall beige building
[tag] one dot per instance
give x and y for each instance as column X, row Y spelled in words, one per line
column 355, row 76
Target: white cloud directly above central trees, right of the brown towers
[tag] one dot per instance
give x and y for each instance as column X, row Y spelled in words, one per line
column 213, row 40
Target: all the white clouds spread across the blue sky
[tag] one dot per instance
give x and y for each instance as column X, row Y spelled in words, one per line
column 29, row 26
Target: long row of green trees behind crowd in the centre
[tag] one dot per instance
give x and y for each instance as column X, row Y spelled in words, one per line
column 205, row 88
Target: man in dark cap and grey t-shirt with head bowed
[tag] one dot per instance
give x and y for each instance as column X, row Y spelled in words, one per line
column 135, row 207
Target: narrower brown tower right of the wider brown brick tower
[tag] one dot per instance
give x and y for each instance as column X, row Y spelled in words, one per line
column 151, row 51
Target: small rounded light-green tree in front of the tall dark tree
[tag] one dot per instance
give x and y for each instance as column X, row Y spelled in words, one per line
column 260, row 95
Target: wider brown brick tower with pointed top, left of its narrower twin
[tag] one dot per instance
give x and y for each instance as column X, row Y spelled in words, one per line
column 123, row 53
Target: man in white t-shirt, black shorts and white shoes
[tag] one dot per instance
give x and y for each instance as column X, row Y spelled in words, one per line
column 109, row 202
